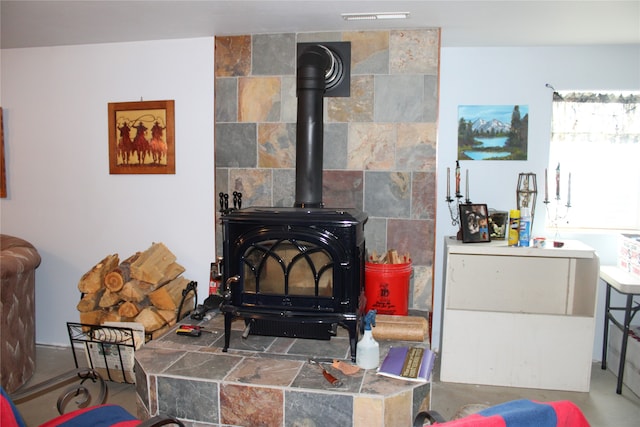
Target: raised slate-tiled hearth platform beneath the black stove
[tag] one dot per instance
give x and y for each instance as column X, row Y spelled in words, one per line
column 269, row 381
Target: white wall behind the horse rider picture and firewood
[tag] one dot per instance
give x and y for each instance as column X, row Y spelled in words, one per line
column 61, row 195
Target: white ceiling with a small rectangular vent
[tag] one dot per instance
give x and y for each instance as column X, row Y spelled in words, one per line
column 29, row 23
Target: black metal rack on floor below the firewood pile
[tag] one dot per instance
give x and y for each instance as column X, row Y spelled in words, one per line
column 108, row 349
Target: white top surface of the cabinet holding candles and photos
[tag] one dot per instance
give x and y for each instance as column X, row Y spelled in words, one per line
column 571, row 249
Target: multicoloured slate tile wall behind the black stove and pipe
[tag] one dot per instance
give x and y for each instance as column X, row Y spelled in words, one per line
column 379, row 144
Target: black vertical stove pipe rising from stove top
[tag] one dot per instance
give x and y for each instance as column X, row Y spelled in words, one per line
column 313, row 65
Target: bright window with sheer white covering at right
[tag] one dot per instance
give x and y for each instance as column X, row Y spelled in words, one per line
column 595, row 138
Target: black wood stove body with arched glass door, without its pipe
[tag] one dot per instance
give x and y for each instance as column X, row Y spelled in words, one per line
column 294, row 272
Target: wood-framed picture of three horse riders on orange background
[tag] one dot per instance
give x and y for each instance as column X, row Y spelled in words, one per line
column 141, row 137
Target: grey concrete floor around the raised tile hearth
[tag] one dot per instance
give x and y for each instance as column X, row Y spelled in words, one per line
column 602, row 406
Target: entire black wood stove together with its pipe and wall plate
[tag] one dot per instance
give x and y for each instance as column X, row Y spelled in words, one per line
column 299, row 272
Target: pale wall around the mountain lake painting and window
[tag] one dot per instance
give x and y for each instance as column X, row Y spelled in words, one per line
column 507, row 76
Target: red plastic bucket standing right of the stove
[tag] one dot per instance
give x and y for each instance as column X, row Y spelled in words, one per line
column 386, row 287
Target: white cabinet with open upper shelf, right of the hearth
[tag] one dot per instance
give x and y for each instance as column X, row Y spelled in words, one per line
column 519, row 317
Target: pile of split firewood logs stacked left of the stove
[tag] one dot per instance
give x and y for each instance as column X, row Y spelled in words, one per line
column 146, row 288
